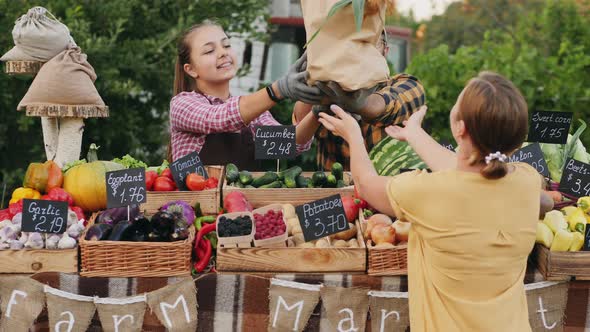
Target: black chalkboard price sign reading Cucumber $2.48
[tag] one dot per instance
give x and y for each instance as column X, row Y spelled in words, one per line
column 274, row 142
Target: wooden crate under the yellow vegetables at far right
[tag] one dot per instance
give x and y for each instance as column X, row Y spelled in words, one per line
column 558, row 265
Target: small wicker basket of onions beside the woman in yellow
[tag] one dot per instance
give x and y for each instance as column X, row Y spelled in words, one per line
column 385, row 261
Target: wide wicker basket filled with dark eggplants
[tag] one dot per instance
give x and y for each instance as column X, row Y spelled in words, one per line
column 135, row 259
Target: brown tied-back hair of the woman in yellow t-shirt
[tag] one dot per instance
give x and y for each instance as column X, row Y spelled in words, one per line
column 496, row 117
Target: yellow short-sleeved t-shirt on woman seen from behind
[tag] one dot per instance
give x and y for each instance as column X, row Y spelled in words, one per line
column 468, row 247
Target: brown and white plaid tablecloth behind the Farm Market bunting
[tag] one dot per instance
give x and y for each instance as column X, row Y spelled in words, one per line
column 240, row 302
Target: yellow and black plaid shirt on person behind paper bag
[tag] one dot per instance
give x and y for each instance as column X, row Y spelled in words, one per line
column 403, row 95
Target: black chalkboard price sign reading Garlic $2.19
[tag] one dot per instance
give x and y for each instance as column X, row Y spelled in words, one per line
column 44, row 216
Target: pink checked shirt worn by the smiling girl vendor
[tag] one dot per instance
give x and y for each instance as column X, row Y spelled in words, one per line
column 193, row 116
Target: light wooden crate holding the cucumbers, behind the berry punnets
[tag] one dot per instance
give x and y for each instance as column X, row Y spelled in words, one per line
column 260, row 197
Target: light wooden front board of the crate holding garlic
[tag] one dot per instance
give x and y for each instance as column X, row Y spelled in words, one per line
column 43, row 260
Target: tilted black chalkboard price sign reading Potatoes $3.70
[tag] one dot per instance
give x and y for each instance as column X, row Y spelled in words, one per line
column 321, row 218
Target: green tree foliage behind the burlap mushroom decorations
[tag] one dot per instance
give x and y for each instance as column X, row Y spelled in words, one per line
column 131, row 45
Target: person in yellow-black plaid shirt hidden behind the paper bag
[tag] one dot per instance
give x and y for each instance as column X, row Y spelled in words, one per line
column 386, row 104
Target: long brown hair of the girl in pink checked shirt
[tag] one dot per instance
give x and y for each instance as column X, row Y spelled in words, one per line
column 182, row 81
